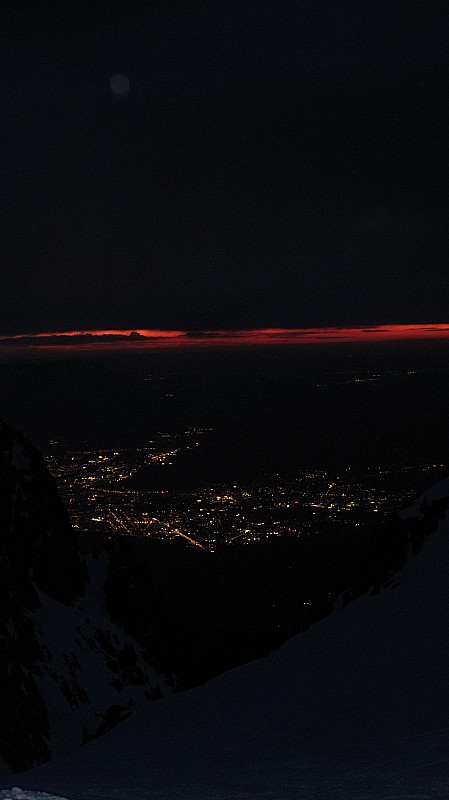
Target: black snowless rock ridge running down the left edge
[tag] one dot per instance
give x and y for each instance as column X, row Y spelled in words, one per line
column 37, row 550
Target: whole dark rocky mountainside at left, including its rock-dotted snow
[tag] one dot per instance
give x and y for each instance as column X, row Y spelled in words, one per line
column 67, row 672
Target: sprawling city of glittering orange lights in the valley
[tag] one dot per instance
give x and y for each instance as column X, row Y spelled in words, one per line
column 93, row 484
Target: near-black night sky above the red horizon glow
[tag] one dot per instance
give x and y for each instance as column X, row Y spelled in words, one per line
column 271, row 164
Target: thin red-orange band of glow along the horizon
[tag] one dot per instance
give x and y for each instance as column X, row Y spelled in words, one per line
column 138, row 338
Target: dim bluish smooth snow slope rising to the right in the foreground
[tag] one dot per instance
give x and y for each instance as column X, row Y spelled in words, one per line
column 357, row 707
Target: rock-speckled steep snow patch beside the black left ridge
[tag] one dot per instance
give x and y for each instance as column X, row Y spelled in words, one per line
column 82, row 667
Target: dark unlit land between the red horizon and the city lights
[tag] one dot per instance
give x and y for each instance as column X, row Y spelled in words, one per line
column 267, row 416
